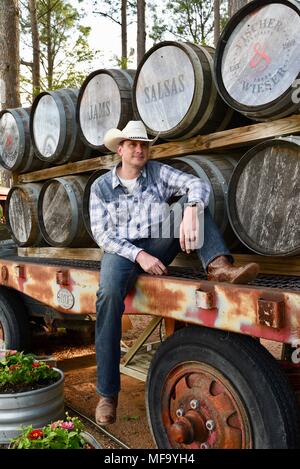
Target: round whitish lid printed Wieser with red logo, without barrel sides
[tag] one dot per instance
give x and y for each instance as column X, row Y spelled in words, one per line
column 261, row 57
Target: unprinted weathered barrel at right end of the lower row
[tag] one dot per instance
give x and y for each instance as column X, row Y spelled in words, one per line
column 263, row 197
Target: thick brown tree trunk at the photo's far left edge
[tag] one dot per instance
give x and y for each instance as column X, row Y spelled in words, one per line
column 9, row 54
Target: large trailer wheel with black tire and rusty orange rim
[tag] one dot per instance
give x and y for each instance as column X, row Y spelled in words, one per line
column 212, row 389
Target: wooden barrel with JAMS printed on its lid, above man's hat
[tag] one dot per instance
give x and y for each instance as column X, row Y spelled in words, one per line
column 104, row 102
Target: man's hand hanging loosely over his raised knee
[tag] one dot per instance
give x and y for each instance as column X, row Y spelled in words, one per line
column 189, row 230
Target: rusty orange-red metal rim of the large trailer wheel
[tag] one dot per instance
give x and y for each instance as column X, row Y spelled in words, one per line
column 201, row 409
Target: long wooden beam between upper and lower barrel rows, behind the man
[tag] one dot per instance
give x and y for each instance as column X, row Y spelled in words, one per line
column 225, row 140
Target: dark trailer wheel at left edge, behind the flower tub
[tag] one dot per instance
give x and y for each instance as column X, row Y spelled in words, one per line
column 14, row 322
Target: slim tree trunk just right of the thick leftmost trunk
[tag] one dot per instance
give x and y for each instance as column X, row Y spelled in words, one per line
column 36, row 86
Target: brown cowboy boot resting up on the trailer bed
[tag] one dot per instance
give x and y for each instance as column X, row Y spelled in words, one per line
column 221, row 270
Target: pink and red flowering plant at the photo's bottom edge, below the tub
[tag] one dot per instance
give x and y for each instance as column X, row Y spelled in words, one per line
column 62, row 434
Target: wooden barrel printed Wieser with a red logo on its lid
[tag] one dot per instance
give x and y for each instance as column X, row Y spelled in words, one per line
column 257, row 59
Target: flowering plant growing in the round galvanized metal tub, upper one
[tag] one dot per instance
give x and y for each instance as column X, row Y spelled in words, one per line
column 21, row 372
